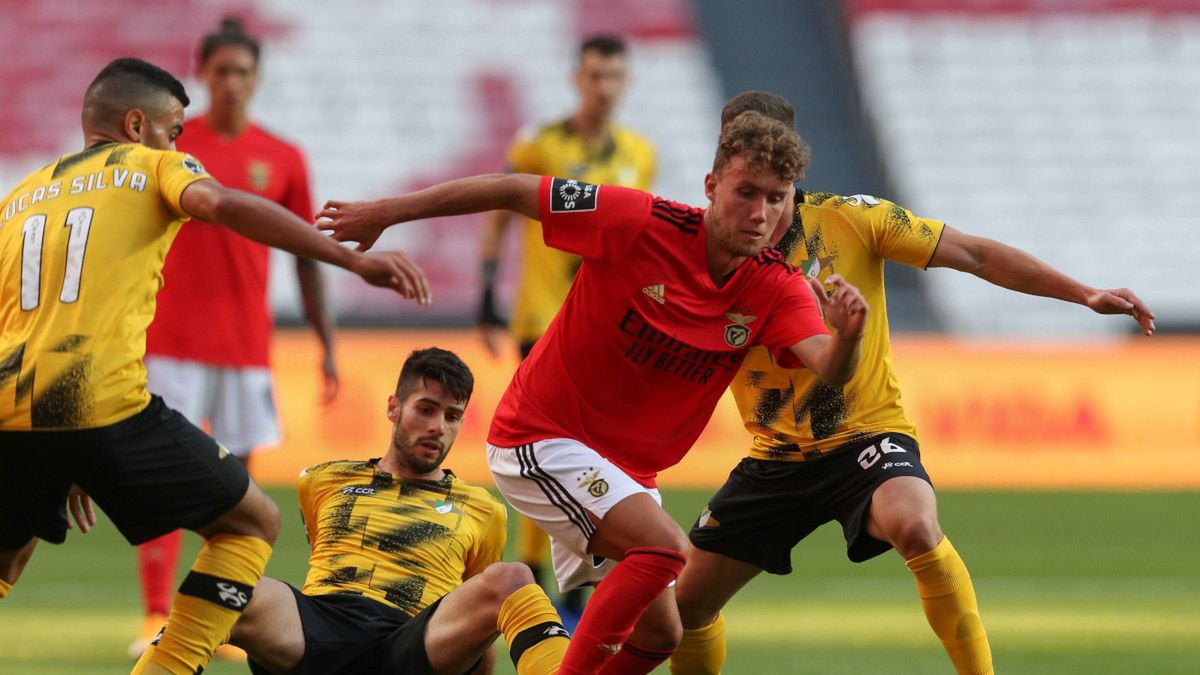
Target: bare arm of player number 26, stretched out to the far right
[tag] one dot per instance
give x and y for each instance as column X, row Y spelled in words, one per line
column 1018, row 271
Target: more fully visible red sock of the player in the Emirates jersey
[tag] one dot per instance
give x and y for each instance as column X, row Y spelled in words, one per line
column 616, row 606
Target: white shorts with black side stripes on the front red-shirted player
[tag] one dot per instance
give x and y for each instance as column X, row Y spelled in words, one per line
column 557, row 483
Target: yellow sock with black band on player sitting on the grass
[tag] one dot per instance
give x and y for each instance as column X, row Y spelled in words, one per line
column 535, row 632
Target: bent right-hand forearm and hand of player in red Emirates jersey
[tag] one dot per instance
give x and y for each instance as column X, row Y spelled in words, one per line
column 835, row 359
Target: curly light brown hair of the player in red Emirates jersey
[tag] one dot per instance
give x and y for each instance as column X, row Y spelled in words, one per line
column 773, row 146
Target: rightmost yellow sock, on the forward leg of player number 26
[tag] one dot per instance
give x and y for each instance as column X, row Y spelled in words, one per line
column 949, row 598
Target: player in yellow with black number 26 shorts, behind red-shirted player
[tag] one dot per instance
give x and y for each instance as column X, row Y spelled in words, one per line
column 849, row 455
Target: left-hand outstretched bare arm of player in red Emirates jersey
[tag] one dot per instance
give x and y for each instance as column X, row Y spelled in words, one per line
column 365, row 222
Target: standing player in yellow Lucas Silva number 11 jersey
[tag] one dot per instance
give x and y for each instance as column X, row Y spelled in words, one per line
column 82, row 247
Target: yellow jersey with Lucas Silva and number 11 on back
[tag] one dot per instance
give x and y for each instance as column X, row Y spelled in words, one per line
column 82, row 246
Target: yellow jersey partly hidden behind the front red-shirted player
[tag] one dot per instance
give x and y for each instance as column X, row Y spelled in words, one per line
column 793, row 415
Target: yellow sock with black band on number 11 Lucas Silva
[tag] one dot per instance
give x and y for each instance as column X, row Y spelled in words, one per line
column 209, row 602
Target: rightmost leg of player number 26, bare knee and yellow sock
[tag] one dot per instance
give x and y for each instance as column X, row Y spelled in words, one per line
column 904, row 513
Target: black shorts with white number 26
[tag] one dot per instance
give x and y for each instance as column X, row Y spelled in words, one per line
column 767, row 507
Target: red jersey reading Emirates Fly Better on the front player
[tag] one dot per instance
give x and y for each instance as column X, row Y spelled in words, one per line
column 646, row 344
